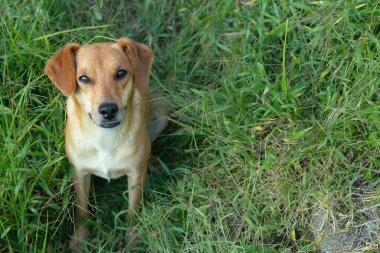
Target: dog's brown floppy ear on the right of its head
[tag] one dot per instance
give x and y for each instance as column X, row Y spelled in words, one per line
column 142, row 57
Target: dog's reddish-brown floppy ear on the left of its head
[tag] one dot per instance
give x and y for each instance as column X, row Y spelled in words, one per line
column 61, row 69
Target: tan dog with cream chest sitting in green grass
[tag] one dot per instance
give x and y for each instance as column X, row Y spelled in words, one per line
column 110, row 120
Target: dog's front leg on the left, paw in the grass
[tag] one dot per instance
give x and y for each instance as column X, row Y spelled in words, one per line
column 82, row 184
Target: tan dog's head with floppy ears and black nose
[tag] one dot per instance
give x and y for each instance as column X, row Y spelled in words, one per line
column 103, row 77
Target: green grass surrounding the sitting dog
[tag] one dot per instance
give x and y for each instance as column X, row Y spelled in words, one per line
column 275, row 120
